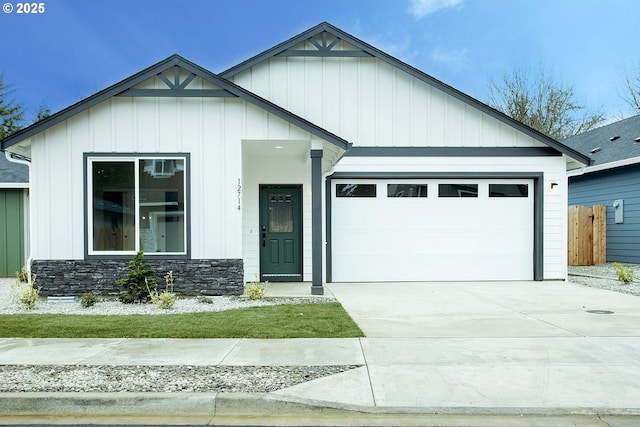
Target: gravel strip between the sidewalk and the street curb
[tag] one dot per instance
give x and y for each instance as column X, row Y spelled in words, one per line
column 156, row 379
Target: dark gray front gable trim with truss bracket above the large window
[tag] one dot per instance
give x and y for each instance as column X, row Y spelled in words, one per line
column 126, row 88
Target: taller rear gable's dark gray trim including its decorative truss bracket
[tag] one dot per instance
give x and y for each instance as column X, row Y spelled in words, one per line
column 364, row 49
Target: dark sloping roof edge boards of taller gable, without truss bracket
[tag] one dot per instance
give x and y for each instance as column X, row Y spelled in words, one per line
column 326, row 27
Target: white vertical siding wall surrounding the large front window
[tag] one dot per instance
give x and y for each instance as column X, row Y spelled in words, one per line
column 209, row 129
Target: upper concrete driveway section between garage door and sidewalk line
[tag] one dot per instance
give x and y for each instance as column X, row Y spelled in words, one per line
column 487, row 309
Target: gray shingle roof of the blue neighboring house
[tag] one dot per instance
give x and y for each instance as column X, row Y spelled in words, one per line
column 610, row 144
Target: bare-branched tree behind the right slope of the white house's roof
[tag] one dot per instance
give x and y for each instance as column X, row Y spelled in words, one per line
column 542, row 103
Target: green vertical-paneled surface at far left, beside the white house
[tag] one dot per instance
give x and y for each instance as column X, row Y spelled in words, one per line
column 11, row 231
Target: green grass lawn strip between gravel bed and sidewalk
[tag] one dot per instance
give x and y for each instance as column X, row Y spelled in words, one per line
column 280, row 321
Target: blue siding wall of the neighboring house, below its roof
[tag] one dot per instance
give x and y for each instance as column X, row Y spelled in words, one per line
column 603, row 188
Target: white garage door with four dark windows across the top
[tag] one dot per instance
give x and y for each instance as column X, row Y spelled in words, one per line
column 432, row 230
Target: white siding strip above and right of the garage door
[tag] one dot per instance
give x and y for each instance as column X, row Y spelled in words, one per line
column 554, row 204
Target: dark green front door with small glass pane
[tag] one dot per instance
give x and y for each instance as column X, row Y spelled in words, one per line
column 281, row 233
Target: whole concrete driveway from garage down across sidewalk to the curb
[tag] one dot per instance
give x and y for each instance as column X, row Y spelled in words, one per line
column 527, row 345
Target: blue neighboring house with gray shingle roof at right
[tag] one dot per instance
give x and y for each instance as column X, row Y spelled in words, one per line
column 612, row 179
